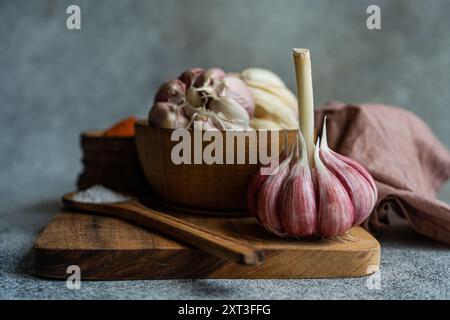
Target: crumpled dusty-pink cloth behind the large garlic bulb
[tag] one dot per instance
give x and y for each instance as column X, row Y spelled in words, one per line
column 408, row 163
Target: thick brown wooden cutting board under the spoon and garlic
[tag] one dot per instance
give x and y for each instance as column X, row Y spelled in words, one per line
column 109, row 248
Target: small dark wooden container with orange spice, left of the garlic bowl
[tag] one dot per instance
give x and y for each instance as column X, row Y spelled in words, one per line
column 112, row 162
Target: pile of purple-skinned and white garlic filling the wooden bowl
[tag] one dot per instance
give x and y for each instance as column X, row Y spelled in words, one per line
column 225, row 100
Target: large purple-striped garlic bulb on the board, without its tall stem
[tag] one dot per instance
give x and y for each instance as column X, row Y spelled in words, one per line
column 326, row 200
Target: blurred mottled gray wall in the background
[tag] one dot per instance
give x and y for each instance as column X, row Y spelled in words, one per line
column 55, row 83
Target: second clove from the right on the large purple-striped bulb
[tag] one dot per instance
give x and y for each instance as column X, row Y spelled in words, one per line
column 335, row 209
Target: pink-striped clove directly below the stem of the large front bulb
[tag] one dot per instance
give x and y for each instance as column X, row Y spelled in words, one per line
column 298, row 210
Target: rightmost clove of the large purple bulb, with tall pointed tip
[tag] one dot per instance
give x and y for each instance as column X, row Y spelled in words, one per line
column 354, row 177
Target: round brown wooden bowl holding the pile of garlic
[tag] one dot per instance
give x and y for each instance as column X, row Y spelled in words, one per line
column 216, row 187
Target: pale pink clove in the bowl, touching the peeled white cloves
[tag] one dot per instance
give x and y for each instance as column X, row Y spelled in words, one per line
column 236, row 89
